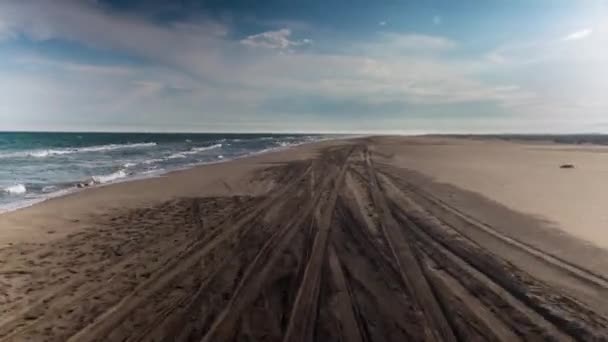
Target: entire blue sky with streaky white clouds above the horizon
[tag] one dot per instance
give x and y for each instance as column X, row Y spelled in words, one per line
column 399, row 66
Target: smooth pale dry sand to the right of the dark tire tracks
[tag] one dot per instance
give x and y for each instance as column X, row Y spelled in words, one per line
column 525, row 177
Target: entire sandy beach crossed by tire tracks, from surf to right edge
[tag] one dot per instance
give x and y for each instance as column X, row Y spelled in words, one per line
column 368, row 239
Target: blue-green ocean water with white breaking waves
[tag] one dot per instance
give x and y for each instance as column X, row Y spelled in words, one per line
column 37, row 166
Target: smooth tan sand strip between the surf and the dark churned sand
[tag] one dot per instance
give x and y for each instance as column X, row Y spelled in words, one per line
column 80, row 207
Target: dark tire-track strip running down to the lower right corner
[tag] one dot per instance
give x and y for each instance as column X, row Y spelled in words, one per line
column 564, row 313
